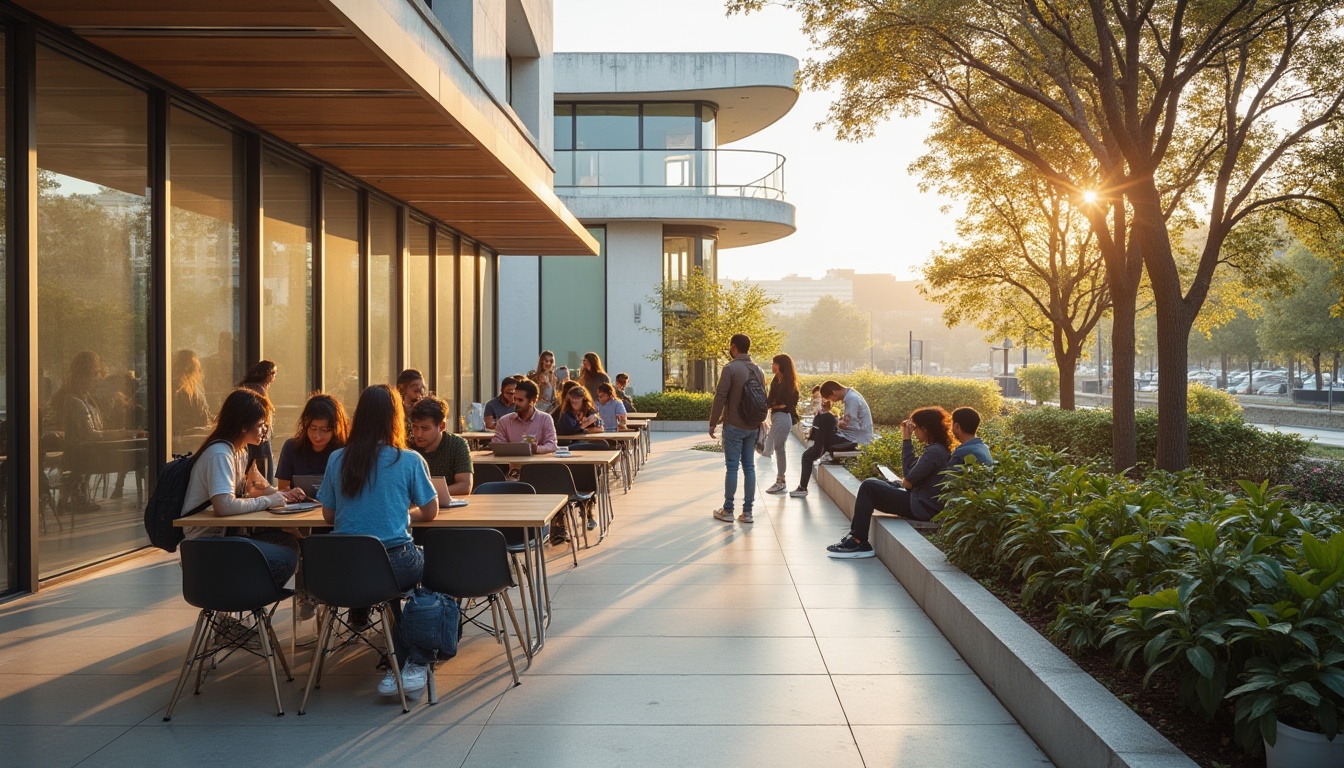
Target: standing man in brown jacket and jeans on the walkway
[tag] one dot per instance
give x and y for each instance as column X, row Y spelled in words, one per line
column 740, row 403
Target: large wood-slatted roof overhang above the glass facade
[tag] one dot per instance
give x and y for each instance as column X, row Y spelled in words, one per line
column 373, row 88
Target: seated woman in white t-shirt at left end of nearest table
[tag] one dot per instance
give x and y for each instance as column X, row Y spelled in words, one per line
column 218, row 477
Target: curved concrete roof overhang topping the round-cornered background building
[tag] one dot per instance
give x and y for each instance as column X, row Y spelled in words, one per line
column 751, row 91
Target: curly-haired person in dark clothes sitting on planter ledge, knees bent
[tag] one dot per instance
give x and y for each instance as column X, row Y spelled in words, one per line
column 917, row 494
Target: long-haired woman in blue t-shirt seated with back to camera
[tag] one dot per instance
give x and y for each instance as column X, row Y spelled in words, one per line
column 368, row 489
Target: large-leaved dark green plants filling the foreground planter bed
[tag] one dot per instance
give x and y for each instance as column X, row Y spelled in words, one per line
column 1228, row 595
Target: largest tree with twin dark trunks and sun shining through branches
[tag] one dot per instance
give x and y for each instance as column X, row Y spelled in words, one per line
column 1161, row 115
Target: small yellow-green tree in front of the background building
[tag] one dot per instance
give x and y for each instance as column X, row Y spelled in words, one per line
column 700, row 317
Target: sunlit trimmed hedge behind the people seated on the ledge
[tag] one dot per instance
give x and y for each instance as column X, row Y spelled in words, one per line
column 893, row 397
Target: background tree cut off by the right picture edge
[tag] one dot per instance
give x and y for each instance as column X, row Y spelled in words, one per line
column 1300, row 322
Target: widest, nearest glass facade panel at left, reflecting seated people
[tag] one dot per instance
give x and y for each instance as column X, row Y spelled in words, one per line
column 93, row 298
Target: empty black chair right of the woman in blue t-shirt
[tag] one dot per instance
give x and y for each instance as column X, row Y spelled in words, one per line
column 472, row 564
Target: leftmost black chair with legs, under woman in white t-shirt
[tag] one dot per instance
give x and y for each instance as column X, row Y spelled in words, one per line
column 225, row 576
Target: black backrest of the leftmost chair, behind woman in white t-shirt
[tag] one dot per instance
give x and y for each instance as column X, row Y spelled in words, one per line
column 226, row 574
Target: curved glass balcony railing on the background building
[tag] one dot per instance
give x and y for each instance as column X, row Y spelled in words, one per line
column 670, row 173
